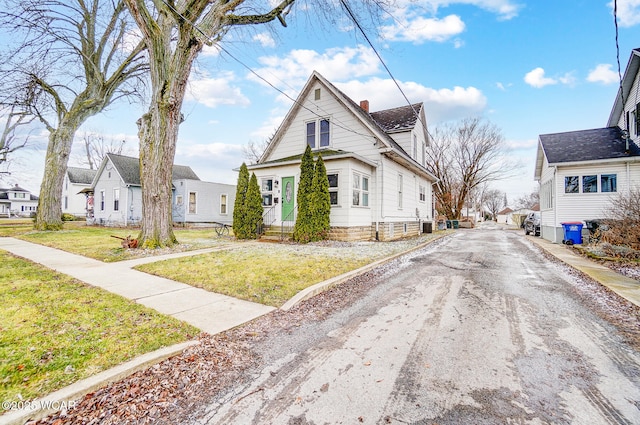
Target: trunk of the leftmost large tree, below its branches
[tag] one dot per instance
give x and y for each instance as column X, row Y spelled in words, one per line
column 49, row 214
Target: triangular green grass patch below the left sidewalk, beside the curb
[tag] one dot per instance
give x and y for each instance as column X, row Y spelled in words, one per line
column 55, row 330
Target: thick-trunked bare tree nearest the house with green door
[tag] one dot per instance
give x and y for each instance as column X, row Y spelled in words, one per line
column 175, row 32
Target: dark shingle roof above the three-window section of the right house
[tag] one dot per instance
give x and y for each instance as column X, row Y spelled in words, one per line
column 586, row 145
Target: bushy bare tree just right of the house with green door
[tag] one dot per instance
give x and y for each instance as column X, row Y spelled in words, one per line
column 463, row 156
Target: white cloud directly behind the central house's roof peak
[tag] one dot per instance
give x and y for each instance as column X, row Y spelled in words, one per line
column 335, row 64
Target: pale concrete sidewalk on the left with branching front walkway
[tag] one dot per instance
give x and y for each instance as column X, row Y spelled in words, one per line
column 205, row 310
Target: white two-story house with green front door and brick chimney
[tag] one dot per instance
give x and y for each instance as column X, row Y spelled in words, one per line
column 378, row 185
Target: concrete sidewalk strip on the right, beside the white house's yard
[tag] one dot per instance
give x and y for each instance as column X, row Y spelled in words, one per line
column 625, row 287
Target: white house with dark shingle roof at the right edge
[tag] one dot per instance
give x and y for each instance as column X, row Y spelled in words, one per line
column 580, row 172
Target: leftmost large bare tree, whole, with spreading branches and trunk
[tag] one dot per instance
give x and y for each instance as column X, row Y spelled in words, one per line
column 71, row 62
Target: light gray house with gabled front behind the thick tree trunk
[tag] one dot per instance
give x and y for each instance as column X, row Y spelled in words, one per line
column 117, row 195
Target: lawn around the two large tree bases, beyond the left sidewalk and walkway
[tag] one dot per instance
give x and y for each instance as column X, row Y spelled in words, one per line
column 96, row 242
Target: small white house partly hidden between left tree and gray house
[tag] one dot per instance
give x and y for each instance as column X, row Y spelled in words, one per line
column 75, row 199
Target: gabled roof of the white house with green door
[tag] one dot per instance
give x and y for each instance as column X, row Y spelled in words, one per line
column 391, row 120
